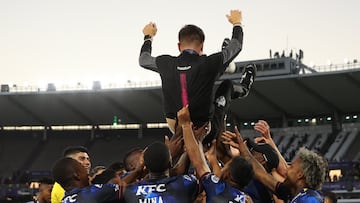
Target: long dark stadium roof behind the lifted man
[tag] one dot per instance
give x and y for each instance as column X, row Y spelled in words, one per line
column 274, row 97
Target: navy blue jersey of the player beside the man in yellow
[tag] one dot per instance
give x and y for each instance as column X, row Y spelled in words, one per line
column 93, row 194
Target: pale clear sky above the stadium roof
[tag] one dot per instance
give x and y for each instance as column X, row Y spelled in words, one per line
column 71, row 41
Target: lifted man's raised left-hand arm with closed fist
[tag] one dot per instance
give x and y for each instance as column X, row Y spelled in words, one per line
column 146, row 60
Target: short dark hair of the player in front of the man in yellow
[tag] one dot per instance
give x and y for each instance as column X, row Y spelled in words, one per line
column 63, row 170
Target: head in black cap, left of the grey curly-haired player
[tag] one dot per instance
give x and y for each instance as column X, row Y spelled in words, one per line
column 264, row 153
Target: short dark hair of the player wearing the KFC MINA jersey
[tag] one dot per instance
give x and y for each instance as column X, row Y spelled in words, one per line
column 157, row 157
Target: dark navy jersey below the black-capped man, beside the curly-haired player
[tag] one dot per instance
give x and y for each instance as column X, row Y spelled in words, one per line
column 258, row 192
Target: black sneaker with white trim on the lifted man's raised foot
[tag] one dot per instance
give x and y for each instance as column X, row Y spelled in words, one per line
column 247, row 79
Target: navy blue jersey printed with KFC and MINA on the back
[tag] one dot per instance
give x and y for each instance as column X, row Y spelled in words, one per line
column 176, row 189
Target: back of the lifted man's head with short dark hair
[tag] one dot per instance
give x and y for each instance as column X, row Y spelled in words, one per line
column 191, row 36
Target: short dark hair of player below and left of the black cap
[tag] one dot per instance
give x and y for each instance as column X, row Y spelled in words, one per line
column 241, row 171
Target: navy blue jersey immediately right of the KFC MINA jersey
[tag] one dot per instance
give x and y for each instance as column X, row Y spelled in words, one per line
column 218, row 191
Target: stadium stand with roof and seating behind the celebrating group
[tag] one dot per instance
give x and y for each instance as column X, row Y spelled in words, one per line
column 284, row 98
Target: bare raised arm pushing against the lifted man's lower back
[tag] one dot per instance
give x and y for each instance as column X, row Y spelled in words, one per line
column 193, row 148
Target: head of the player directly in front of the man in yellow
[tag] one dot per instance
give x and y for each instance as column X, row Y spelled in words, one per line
column 69, row 173
